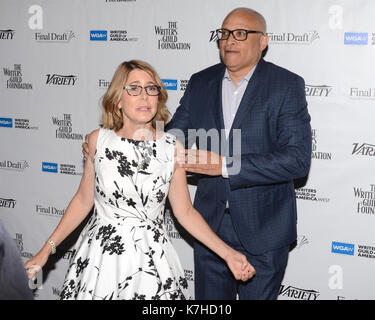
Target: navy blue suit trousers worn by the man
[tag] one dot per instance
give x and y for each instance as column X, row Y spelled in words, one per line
column 215, row 281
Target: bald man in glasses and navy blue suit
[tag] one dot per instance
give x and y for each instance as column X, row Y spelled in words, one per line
column 247, row 196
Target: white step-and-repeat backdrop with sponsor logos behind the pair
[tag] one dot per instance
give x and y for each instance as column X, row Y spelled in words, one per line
column 57, row 59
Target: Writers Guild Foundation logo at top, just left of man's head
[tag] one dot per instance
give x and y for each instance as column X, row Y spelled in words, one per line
column 169, row 38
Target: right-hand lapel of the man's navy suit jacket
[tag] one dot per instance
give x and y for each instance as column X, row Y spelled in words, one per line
column 249, row 97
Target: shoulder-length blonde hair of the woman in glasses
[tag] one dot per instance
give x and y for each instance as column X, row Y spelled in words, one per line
column 112, row 115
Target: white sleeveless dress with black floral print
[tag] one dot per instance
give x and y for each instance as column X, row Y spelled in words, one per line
column 124, row 251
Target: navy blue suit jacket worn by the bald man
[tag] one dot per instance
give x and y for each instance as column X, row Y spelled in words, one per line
column 275, row 150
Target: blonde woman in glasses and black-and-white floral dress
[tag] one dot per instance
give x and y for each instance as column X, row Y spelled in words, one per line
column 124, row 251
